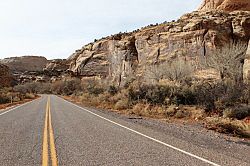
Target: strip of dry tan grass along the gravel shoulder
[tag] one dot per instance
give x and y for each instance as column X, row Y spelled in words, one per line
column 120, row 104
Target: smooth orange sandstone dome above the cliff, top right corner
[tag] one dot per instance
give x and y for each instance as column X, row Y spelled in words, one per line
column 226, row 5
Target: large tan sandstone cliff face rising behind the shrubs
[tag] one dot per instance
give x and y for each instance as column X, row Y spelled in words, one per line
column 191, row 38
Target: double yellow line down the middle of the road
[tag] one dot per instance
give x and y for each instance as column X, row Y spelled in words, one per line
column 48, row 132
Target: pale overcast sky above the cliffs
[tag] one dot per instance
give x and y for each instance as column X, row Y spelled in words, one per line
column 55, row 28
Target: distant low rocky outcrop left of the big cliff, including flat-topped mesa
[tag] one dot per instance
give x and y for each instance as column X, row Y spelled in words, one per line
column 28, row 69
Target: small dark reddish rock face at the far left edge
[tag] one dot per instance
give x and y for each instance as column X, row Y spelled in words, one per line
column 5, row 76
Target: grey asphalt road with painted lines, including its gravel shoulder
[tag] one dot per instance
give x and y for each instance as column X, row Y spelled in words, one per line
column 52, row 131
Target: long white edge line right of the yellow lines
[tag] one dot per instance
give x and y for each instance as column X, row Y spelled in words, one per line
column 153, row 139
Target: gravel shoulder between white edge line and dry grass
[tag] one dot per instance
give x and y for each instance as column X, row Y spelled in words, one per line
column 191, row 133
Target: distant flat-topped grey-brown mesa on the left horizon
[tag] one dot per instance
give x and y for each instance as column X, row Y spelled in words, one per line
column 25, row 63
